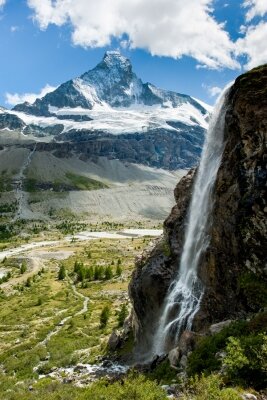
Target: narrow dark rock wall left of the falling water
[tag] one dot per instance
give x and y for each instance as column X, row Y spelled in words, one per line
column 156, row 268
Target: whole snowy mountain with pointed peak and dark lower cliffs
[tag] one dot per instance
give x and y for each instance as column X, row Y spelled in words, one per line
column 109, row 112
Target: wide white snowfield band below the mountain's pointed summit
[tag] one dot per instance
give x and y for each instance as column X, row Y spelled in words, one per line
column 136, row 118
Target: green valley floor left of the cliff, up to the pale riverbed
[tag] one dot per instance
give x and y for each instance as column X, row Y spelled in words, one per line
column 47, row 323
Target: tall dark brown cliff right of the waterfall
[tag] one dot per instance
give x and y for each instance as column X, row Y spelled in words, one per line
column 234, row 270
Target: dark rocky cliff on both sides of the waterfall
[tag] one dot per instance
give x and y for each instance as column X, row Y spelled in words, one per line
column 232, row 270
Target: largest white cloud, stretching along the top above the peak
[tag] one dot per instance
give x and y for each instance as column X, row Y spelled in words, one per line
column 171, row 28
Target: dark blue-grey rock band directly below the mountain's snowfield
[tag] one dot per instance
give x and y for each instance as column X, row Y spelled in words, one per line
column 160, row 149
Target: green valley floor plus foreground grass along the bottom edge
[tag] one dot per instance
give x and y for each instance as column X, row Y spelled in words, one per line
column 60, row 301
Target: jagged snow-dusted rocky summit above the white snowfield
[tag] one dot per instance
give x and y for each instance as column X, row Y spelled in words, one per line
column 112, row 83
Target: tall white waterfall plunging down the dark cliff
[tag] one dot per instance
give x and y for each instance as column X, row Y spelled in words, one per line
column 185, row 293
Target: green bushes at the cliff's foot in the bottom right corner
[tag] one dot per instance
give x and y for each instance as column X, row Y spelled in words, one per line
column 245, row 358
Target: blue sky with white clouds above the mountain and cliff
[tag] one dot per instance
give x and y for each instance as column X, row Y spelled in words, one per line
column 192, row 47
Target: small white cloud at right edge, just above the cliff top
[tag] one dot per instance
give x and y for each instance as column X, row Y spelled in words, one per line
column 253, row 45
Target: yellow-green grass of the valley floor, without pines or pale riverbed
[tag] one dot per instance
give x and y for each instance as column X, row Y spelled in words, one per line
column 31, row 312
